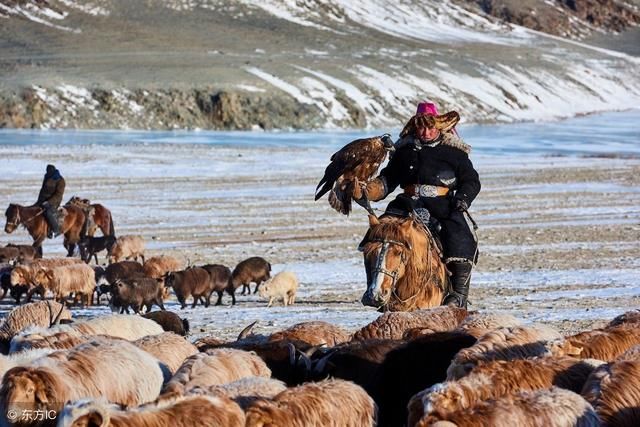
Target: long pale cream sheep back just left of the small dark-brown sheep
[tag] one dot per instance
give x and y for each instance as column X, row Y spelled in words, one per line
column 120, row 326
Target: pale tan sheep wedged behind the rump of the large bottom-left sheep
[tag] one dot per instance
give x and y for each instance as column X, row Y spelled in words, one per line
column 168, row 348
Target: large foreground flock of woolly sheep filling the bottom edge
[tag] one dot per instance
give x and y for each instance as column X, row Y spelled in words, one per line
column 438, row 367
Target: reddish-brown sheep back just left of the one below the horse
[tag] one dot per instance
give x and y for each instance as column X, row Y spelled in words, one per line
column 315, row 333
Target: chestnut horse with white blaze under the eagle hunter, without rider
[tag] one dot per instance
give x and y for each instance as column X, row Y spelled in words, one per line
column 403, row 264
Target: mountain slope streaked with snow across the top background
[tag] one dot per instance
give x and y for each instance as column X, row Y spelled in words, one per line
column 246, row 64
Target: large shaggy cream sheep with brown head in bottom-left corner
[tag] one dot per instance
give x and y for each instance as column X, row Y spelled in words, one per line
column 115, row 370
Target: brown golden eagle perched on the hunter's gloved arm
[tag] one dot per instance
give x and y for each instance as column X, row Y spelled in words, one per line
column 356, row 162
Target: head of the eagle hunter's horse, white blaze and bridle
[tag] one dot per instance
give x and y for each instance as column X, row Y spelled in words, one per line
column 386, row 252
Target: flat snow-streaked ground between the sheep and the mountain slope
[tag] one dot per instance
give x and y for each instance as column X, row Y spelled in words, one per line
column 559, row 234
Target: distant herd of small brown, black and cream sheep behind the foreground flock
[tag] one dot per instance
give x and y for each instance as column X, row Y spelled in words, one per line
column 130, row 284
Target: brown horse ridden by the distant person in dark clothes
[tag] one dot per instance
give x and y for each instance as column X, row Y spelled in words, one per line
column 32, row 218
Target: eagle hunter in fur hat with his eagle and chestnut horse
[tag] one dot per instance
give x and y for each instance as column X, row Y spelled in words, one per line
column 432, row 166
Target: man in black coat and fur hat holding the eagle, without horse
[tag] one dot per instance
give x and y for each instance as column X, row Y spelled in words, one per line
column 431, row 164
